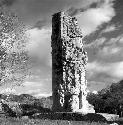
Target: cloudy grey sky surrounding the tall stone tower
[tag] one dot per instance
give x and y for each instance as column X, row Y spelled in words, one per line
column 101, row 22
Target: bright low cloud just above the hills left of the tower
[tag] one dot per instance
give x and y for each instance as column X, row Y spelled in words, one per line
column 35, row 87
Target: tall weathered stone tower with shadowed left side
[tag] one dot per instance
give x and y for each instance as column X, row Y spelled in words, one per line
column 69, row 61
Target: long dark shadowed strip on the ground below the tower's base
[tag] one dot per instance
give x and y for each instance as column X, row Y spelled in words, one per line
column 92, row 117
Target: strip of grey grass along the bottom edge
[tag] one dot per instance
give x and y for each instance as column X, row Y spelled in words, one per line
column 26, row 121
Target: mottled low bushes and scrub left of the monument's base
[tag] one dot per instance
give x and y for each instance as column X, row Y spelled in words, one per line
column 21, row 105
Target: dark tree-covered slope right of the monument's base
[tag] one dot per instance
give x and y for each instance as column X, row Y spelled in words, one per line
column 108, row 100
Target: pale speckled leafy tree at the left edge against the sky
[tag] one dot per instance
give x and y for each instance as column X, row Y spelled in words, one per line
column 13, row 55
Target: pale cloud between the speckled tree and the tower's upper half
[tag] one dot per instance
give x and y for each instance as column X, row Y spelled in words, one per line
column 39, row 45
